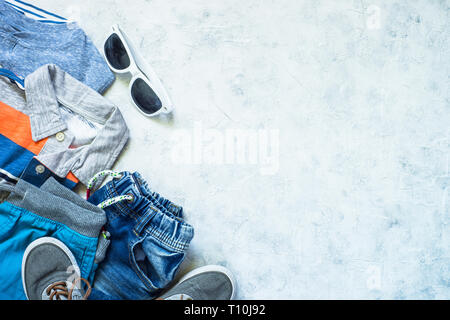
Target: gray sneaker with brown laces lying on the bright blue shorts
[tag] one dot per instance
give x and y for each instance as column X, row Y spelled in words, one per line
column 50, row 272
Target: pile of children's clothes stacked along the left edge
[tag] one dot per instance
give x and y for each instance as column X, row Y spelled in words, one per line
column 56, row 131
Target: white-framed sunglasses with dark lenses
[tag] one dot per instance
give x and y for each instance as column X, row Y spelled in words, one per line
column 146, row 90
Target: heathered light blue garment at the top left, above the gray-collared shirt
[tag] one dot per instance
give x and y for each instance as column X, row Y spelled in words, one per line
column 26, row 44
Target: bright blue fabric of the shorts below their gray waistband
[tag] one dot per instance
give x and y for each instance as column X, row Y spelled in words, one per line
column 18, row 228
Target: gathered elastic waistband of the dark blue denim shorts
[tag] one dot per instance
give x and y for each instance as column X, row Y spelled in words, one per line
column 150, row 211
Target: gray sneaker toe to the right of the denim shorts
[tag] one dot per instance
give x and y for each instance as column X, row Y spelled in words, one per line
column 205, row 283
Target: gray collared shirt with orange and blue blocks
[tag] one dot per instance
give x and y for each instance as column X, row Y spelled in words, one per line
column 84, row 132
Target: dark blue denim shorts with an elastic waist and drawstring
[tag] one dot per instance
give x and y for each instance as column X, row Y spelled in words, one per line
column 148, row 241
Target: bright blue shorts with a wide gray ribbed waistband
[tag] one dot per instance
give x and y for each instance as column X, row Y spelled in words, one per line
column 30, row 213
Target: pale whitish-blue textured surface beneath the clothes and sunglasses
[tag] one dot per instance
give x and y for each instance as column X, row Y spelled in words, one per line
column 359, row 207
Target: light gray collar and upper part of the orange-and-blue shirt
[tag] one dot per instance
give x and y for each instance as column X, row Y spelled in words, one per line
column 47, row 90
